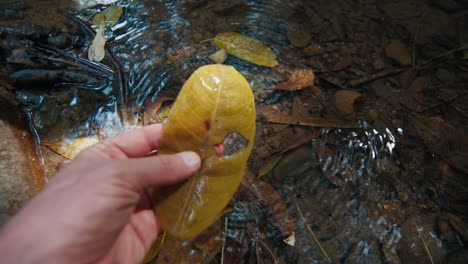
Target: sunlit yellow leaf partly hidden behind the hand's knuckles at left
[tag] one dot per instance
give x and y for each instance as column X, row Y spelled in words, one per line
column 71, row 148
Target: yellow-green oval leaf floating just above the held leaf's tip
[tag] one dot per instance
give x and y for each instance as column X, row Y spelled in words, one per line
column 246, row 48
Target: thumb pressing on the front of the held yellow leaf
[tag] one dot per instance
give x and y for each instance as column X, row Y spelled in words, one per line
column 158, row 170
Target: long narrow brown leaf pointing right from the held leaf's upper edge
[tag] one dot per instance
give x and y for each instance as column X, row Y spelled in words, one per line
column 307, row 120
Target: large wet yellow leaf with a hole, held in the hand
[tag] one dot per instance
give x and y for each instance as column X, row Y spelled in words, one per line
column 214, row 115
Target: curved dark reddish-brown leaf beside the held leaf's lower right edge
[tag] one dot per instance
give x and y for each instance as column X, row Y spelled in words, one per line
column 273, row 203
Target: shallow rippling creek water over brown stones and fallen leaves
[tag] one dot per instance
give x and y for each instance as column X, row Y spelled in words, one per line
column 393, row 190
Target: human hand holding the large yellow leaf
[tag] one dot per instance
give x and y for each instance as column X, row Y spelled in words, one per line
column 97, row 208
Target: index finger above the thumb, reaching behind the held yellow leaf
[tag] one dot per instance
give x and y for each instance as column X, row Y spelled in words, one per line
column 136, row 143
